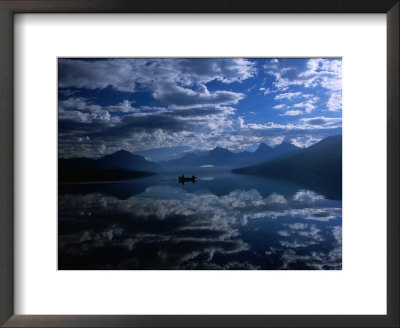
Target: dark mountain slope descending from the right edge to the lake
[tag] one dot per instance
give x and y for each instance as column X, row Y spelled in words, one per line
column 318, row 167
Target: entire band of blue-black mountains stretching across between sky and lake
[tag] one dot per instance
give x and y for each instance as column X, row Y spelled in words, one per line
column 318, row 167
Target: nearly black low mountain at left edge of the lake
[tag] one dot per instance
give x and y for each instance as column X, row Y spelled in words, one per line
column 120, row 165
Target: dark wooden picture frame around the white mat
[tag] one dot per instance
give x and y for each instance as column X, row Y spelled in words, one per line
column 7, row 10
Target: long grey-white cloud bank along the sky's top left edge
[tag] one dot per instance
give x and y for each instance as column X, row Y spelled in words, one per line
column 129, row 74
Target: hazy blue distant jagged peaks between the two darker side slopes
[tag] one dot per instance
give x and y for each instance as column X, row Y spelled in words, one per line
column 221, row 157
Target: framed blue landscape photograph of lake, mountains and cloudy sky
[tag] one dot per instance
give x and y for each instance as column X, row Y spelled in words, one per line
column 212, row 163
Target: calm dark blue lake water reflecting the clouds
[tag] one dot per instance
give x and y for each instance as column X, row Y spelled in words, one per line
column 223, row 221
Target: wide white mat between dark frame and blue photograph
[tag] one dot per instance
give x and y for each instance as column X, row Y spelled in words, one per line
column 360, row 288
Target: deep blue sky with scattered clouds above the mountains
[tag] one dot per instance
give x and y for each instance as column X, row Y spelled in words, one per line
column 195, row 104
